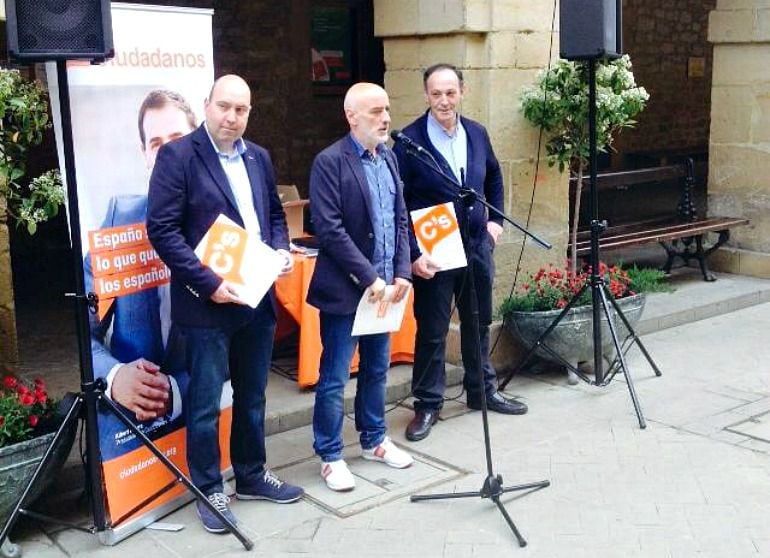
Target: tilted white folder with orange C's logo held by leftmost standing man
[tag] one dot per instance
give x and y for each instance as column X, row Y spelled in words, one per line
column 247, row 262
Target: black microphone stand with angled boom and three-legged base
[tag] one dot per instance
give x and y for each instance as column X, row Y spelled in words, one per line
column 492, row 487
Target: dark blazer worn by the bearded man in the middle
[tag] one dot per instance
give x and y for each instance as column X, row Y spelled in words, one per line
column 341, row 209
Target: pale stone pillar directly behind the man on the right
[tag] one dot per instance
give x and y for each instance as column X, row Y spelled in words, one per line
column 500, row 45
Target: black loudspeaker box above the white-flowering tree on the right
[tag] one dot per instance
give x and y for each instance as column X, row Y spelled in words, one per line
column 590, row 29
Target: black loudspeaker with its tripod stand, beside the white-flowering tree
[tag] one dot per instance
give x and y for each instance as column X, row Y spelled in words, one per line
column 590, row 31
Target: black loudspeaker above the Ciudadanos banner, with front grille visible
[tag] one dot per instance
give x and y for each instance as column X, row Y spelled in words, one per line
column 40, row 30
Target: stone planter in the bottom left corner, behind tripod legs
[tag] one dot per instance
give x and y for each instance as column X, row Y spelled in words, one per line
column 17, row 465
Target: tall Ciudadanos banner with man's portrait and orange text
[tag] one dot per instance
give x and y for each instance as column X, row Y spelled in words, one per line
column 123, row 111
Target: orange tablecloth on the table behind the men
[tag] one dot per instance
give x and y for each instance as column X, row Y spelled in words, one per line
column 292, row 291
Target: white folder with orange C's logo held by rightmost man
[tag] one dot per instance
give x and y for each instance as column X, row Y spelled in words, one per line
column 438, row 235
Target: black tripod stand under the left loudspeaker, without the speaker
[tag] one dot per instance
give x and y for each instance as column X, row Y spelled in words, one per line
column 92, row 392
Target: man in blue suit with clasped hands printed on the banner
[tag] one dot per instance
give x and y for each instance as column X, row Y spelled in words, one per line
column 134, row 346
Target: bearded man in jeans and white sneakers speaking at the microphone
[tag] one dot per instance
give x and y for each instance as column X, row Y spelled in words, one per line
column 356, row 199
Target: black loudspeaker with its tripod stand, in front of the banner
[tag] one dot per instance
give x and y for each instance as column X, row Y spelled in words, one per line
column 61, row 30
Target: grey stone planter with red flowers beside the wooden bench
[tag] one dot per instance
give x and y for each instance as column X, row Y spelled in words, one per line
column 572, row 339
